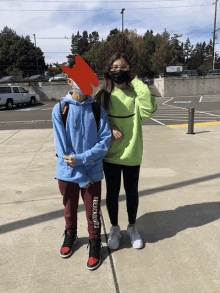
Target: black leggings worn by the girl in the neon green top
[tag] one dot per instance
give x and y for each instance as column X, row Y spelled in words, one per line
column 113, row 185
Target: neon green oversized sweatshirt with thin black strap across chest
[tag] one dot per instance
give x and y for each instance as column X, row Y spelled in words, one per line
column 138, row 103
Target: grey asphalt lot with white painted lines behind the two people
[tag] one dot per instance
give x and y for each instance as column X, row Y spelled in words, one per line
column 170, row 112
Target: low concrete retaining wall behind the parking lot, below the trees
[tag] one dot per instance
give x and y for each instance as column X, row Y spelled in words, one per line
column 167, row 87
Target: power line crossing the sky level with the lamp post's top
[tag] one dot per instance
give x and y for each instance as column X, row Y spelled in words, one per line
column 69, row 10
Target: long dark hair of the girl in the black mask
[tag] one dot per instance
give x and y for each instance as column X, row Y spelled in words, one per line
column 108, row 86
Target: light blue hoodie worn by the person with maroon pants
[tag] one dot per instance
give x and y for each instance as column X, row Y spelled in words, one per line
column 80, row 139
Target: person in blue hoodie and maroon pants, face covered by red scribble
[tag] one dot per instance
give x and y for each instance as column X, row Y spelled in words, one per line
column 80, row 151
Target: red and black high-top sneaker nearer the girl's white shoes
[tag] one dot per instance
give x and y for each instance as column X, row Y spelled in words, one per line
column 94, row 260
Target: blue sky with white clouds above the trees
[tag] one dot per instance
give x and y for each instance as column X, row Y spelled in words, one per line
column 194, row 21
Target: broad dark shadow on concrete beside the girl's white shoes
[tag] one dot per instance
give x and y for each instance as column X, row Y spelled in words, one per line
column 165, row 224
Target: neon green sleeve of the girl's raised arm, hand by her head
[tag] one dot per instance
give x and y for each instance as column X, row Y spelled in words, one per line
column 147, row 104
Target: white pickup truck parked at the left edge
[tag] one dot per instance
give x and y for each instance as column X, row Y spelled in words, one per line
column 15, row 95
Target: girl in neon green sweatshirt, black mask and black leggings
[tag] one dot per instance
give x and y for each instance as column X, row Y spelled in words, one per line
column 127, row 101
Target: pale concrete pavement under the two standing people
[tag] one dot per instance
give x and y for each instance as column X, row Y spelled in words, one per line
column 178, row 218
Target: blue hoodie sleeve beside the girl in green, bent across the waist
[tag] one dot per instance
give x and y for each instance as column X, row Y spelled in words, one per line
column 100, row 149
